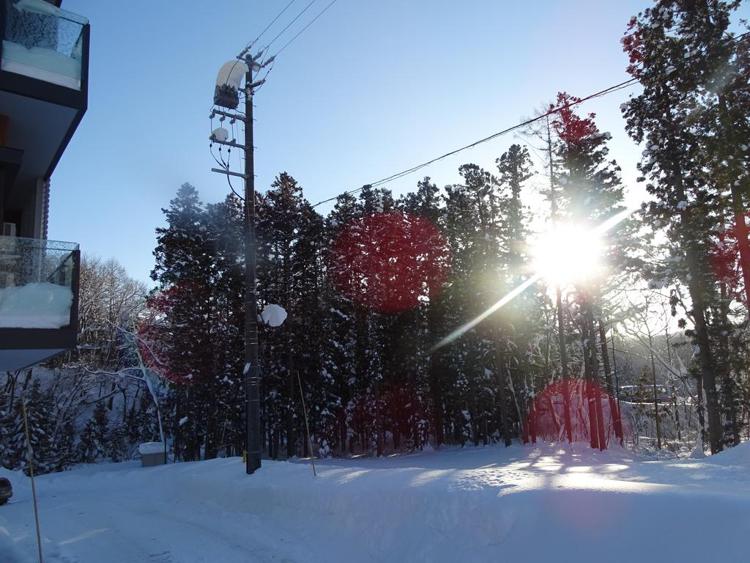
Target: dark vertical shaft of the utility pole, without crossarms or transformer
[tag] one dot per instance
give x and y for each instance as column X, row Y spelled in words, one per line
column 251, row 371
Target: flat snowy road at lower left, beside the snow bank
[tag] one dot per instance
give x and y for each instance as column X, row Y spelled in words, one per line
column 112, row 514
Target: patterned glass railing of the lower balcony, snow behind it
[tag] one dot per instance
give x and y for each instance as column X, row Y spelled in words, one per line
column 38, row 283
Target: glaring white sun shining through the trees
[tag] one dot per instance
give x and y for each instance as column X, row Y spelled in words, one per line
column 568, row 254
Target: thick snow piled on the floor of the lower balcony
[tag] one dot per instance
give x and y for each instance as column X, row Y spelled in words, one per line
column 35, row 305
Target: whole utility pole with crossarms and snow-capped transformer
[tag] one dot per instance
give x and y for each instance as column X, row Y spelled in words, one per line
column 227, row 95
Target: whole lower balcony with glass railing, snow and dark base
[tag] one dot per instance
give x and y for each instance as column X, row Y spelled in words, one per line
column 38, row 300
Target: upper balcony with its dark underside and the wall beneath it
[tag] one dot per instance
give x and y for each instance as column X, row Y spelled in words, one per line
column 44, row 55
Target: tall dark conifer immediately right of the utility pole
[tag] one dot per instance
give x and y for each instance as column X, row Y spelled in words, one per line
column 290, row 234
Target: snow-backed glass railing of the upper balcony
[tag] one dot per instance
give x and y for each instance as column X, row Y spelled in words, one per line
column 42, row 41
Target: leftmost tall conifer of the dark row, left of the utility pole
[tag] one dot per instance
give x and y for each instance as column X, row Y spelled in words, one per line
column 185, row 270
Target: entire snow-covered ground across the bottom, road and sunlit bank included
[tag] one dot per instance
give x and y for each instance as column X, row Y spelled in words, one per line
column 479, row 504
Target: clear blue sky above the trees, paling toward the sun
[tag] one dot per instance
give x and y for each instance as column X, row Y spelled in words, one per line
column 371, row 88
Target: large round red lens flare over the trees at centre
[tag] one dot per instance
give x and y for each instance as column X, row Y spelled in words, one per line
column 388, row 262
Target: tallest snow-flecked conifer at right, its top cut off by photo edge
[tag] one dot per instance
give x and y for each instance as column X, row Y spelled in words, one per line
column 670, row 48
